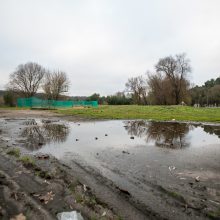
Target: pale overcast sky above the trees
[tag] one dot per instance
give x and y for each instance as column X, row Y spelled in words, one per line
column 101, row 43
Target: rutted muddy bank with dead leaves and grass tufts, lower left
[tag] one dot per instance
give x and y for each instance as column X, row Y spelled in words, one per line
column 40, row 187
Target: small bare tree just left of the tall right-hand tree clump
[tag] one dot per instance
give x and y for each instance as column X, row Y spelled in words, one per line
column 138, row 87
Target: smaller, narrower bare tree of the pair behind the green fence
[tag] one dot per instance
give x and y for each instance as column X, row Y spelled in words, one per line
column 55, row 84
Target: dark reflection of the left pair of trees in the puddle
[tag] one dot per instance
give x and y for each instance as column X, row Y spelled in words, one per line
column 36, row 136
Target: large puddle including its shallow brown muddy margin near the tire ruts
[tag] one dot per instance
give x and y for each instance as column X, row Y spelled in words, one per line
column 137, row 156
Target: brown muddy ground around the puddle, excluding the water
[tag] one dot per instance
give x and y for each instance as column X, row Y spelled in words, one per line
column 40, row 186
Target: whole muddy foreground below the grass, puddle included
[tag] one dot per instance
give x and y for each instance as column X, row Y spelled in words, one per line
column 118, row 169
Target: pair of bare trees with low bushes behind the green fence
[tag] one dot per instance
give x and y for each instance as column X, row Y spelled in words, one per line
column 28, row 78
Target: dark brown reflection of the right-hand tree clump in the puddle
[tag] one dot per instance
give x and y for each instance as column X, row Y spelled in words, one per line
column 169, row 135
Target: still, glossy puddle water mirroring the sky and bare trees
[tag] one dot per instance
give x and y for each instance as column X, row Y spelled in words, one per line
column 124, row 146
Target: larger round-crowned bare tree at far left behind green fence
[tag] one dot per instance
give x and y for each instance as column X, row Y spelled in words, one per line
column 26, row 79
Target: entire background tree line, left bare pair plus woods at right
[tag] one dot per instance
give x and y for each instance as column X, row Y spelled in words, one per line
column 168, row 84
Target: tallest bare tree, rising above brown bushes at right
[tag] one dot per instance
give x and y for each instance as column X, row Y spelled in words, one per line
column 175, row 69
